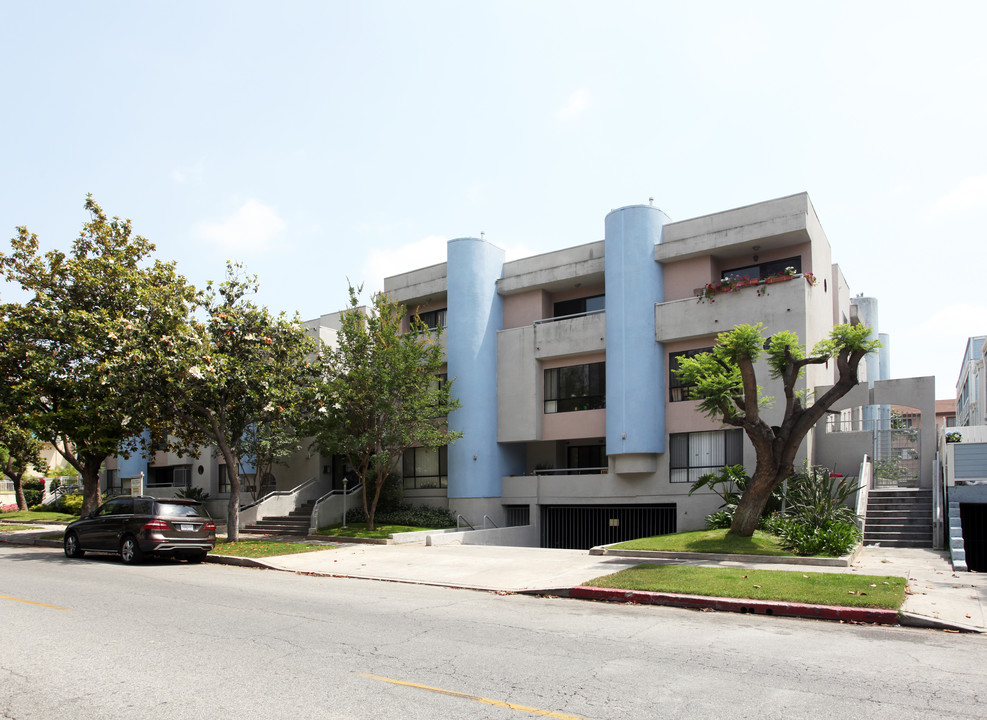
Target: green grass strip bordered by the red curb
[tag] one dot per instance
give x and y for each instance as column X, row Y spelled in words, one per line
column 781, row 585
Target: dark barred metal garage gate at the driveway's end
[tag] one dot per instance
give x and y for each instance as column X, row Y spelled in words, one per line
column 580, row 527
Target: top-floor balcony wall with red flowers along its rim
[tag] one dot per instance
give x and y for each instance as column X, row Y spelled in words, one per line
column 779, row 305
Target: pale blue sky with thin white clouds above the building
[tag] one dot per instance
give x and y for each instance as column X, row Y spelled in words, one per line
column 320, row 141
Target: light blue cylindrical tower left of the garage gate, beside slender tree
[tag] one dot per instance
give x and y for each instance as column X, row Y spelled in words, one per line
column 475, row 312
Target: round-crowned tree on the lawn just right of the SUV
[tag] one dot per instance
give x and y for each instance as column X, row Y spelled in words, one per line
column 238, row 367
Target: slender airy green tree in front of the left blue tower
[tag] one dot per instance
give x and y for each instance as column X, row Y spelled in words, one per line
column 380, row 393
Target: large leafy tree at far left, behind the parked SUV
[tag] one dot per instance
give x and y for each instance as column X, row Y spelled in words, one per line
column 77, row 353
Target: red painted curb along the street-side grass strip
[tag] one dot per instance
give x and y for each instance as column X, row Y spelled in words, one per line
column 760, row 607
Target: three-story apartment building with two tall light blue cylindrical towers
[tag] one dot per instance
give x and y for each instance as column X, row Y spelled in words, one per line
column 571, row 415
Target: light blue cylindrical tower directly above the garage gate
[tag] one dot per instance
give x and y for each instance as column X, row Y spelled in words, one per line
column 635, row 361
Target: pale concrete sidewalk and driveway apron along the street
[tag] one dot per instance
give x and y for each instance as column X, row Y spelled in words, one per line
column 938, row 596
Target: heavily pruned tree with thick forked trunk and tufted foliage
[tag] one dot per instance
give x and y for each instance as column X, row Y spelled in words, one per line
column 725, row 384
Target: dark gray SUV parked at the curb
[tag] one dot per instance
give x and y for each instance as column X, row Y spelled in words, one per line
column 136, row 527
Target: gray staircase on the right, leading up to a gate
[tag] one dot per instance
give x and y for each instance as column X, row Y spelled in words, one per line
column 899, row 518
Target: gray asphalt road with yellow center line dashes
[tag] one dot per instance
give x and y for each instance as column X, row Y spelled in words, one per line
column 93, row 638
